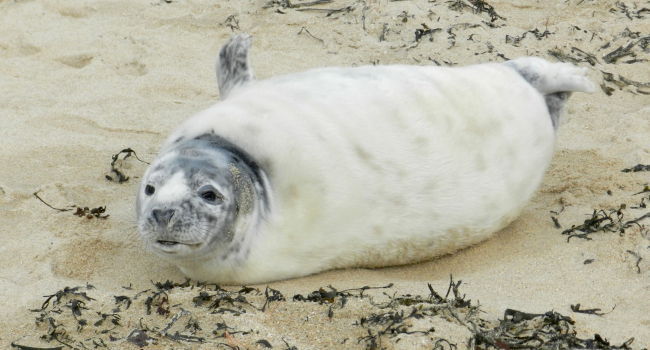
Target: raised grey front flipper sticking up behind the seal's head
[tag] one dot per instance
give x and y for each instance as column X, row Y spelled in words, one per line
column 233, row 68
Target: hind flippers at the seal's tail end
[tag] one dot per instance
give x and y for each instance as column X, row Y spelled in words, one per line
column 556, row 81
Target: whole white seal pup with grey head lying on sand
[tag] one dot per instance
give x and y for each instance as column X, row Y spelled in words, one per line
column 350, row 167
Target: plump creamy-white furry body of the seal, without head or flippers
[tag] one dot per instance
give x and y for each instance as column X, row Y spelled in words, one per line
column 391, row 165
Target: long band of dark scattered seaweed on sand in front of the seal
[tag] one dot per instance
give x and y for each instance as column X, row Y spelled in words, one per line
column 171, row 315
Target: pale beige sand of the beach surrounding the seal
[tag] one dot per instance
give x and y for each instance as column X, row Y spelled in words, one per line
column 82, row 80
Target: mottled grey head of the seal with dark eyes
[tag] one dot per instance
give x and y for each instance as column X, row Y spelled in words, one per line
column 201, row 197
